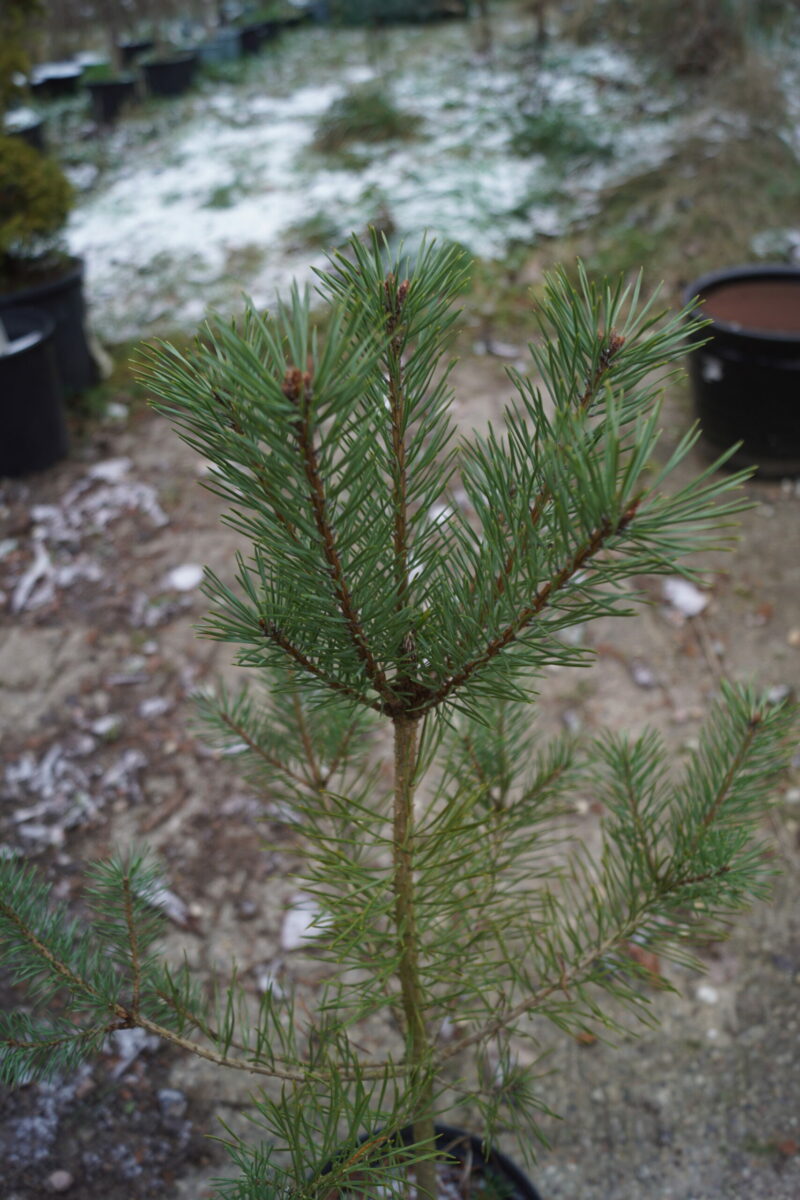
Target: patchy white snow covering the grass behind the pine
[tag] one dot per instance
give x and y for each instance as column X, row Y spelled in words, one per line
column 191, row 211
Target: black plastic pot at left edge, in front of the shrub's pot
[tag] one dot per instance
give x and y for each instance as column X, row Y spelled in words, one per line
column 33, row 429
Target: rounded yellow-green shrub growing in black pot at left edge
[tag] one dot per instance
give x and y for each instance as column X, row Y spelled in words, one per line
column 35, row 202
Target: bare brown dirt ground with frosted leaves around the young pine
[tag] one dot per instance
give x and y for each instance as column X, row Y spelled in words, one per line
column 98, row 661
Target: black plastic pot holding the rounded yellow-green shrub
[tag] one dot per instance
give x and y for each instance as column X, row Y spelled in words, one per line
column 62, row 298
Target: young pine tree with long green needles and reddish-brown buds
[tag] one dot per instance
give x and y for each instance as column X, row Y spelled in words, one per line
column 405, row 579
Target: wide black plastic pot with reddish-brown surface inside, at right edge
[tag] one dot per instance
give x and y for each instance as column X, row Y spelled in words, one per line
column 747, row 380
